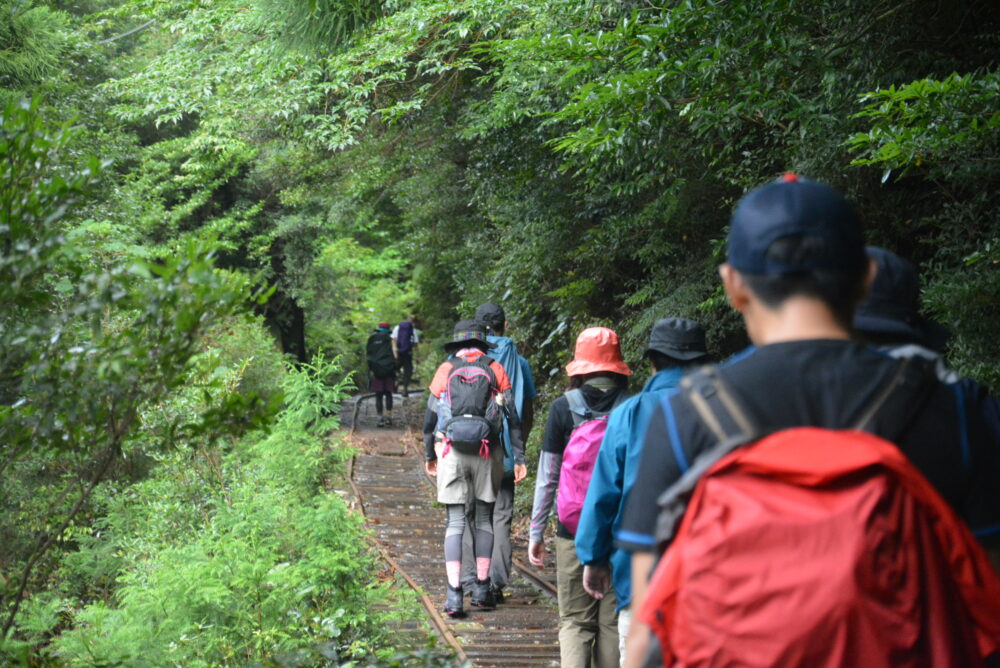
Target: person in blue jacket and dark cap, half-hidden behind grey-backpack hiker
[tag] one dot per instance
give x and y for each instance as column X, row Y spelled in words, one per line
column 523, row 390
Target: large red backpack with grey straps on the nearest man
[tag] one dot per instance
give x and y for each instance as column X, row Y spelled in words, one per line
column 813, row 548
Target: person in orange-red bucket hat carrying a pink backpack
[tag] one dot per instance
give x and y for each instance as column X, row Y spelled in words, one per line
column 598, row 377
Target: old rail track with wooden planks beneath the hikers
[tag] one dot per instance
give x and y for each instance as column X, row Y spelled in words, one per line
column 397, row 500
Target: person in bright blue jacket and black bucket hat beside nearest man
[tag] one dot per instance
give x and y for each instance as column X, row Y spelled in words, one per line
column 675, row 345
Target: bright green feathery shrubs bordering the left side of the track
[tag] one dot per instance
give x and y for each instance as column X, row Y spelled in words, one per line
column 235, row 557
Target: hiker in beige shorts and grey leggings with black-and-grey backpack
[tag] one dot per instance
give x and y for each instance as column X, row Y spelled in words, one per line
column 462, row 449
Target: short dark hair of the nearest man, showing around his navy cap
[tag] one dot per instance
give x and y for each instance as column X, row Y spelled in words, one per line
column 839, row 290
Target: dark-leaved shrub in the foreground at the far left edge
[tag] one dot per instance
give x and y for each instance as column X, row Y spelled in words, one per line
column 82, row 354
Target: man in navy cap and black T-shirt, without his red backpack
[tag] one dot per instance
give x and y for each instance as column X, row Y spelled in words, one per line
column 796, row 267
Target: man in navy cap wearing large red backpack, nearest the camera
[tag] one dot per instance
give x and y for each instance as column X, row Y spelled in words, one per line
column 814, row 498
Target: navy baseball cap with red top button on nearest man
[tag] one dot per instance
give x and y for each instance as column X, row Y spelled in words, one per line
column 795, row 207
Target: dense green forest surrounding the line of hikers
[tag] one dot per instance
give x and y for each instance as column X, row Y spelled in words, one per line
column 206, row 205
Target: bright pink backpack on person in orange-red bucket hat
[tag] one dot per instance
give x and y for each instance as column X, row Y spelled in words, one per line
column 579, row 457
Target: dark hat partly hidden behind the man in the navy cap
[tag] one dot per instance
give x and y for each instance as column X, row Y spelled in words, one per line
column 893, row 303
